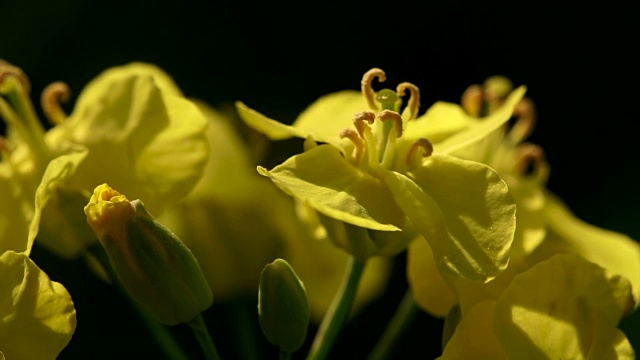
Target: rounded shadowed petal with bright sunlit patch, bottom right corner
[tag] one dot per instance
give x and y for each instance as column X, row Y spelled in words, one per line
column 562, row 308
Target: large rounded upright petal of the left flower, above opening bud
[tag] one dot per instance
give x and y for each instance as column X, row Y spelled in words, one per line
column 143, row 138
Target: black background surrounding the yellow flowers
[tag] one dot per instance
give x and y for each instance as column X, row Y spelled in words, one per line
column 577, row 63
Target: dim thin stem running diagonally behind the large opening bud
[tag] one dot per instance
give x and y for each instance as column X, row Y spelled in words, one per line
column 159, row 332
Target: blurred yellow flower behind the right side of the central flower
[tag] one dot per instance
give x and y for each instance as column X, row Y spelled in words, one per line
column 545, row 226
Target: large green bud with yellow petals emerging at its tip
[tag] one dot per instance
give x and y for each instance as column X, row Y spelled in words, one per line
column 153, row 265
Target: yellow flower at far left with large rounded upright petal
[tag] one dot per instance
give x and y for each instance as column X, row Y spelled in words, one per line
column 130, row 126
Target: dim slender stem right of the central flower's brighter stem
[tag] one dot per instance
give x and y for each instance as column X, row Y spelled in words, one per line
column 402, row 318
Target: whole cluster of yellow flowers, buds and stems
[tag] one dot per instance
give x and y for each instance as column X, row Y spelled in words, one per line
column 457, row 189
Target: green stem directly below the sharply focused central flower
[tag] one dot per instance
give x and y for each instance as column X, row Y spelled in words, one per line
column 338, row 312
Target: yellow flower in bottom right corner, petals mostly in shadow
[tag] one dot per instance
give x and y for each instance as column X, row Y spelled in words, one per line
column 562, row 308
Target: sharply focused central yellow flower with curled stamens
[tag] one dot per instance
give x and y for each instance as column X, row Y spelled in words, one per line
column 385, row 176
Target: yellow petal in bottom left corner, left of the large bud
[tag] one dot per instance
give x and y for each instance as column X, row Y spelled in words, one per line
column 37, row 316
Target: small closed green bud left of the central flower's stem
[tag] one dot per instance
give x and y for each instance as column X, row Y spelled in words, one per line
column 283, row 308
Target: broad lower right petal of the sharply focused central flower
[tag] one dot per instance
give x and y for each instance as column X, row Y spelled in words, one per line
column 463, row 209
